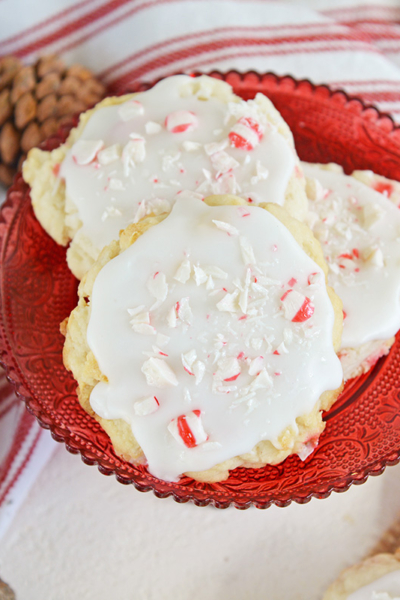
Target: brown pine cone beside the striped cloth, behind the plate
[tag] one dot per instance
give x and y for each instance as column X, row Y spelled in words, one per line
column 35, row 100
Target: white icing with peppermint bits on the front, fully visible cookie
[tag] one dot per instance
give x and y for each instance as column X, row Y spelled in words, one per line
column 219, row 357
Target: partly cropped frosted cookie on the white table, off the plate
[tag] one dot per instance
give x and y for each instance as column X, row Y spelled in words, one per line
column 376, row 578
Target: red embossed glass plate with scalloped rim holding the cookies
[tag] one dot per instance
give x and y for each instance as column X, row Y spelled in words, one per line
column 37, row 292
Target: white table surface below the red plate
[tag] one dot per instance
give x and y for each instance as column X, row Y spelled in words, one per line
column 81, row 535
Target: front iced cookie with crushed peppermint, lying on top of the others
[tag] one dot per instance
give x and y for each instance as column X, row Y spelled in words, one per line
column 208, row 341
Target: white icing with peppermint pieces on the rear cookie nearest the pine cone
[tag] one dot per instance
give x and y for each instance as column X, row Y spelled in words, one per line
column 136, row 145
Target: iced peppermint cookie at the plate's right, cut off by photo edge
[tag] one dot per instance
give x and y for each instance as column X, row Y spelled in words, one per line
column 359, row 231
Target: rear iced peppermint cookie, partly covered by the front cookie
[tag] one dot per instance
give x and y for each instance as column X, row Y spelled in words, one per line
column 134, row 155
